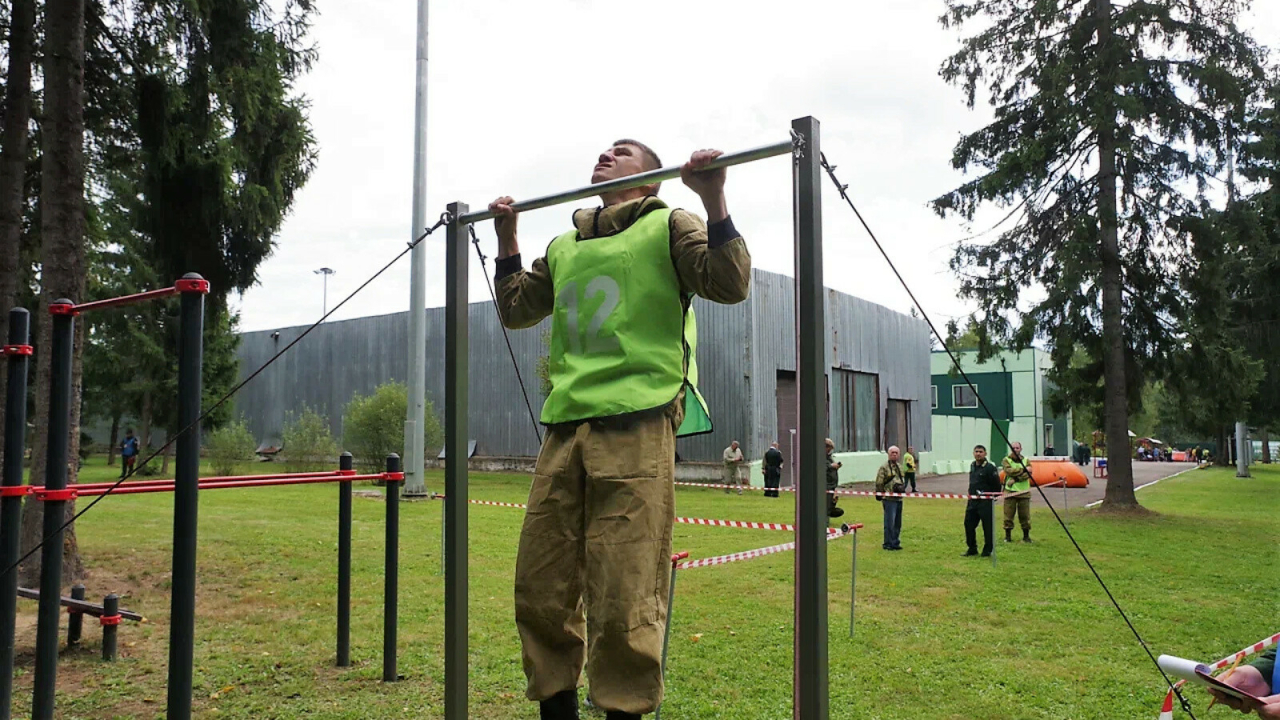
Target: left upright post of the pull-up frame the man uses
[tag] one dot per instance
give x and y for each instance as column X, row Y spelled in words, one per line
column 456, row 347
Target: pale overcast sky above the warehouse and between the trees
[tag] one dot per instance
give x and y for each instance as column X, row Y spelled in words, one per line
column 524, row 95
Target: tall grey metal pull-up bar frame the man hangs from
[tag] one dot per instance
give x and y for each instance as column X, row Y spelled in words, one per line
column 811, row 690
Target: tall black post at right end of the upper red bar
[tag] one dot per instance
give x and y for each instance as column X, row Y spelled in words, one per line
column 186, row 503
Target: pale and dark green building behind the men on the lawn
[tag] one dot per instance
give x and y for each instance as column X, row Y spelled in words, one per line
column 1014, row 389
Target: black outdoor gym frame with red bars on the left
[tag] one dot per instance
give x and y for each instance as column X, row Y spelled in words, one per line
column 186, row 487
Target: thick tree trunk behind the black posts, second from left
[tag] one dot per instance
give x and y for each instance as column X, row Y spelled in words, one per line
column 62, row 200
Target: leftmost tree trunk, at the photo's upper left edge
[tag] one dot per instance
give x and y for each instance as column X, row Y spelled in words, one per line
column 13, row 161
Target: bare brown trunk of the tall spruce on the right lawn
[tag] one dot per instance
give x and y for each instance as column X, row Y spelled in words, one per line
column 1116, row 393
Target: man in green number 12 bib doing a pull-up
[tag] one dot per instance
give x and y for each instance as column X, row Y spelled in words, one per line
column 595, row 559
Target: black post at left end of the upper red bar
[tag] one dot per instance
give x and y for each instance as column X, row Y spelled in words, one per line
column 54, row 508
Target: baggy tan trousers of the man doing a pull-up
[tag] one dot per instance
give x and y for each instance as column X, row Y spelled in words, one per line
column 595, row 562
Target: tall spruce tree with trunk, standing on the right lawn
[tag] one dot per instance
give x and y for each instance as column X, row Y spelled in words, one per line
column 1108, row 126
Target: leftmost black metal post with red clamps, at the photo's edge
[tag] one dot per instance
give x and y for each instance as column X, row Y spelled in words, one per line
column 19, row 350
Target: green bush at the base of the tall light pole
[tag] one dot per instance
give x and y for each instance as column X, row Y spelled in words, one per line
column 373, row 427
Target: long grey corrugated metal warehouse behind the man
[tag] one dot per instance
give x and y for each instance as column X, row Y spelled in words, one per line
column 879, row 385
